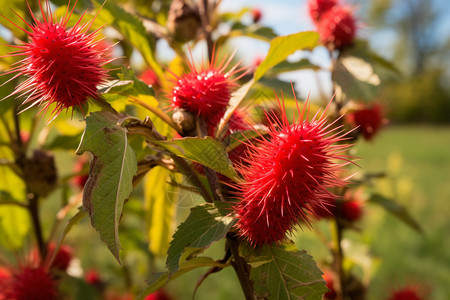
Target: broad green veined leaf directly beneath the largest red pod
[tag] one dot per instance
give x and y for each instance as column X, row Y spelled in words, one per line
column 287, row 275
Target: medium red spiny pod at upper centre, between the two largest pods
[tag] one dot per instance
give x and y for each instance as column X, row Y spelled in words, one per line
column 206, row 91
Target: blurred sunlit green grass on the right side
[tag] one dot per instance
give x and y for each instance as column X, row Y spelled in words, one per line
column 417, row 162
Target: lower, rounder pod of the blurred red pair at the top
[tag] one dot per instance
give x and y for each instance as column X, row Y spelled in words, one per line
column 337, row 27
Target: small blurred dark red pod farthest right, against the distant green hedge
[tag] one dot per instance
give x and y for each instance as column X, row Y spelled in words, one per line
column 369, row 120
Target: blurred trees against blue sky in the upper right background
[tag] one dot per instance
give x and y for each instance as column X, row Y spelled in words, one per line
column 420, row 47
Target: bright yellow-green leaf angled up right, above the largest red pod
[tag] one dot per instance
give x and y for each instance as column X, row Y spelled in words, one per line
column 283, row 46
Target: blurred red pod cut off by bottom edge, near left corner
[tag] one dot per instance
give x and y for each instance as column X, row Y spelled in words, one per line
column 32, row 284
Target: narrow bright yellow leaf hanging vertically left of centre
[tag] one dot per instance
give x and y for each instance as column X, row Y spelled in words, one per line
column 159, row 210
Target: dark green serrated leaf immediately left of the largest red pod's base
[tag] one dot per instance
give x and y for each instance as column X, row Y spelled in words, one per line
column 205, row 225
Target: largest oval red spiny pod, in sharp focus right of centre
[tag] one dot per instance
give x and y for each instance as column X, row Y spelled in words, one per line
column 287, row 174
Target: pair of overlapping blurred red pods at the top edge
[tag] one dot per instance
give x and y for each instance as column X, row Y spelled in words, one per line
column 335, row 23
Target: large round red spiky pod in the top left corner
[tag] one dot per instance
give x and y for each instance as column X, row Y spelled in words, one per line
column 62, row 65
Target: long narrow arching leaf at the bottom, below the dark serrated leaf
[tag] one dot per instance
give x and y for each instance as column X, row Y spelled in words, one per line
column 186, row 266
